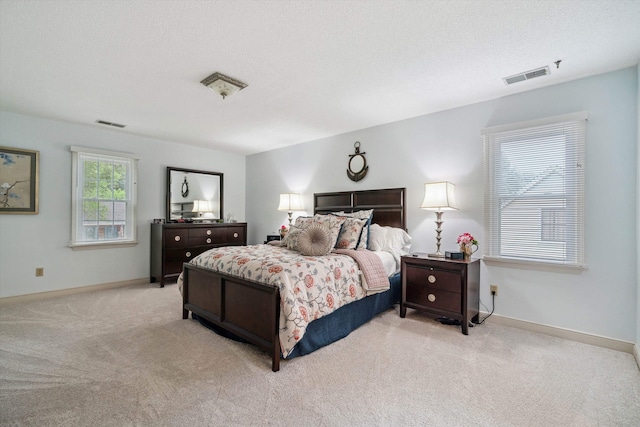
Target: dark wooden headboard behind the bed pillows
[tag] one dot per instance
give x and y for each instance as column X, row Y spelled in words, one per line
column 388, row 205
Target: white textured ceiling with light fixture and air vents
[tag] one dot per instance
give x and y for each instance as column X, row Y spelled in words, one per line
column 314, row 68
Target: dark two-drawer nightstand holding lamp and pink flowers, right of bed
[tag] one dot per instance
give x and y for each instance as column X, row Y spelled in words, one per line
column 441, row 287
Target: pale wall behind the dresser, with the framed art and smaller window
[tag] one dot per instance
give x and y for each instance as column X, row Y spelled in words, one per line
column 30, row 241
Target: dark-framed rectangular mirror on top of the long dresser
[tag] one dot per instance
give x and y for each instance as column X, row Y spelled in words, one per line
column 194, row 195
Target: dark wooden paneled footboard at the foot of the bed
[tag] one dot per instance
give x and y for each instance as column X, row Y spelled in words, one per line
column 247, row 309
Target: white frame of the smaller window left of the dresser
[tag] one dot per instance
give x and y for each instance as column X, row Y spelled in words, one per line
column 77, row 199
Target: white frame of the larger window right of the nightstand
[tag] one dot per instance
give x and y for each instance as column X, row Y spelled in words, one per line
column 573, row 193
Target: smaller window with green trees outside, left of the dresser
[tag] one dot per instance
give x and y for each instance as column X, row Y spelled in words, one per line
column 103, row 198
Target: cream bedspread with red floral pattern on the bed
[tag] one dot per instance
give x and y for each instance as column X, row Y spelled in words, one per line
column 310, row 287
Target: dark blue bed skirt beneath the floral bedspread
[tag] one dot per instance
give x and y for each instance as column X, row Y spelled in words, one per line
column 336, row 325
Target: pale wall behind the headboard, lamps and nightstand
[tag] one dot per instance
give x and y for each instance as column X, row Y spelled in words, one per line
column 447, row 146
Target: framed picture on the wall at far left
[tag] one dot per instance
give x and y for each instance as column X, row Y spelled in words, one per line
column 19, row 181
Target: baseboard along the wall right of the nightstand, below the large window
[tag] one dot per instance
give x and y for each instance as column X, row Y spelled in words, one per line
column 597, row 340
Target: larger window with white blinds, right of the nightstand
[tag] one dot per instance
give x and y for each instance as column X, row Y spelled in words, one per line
column 534, row 191
